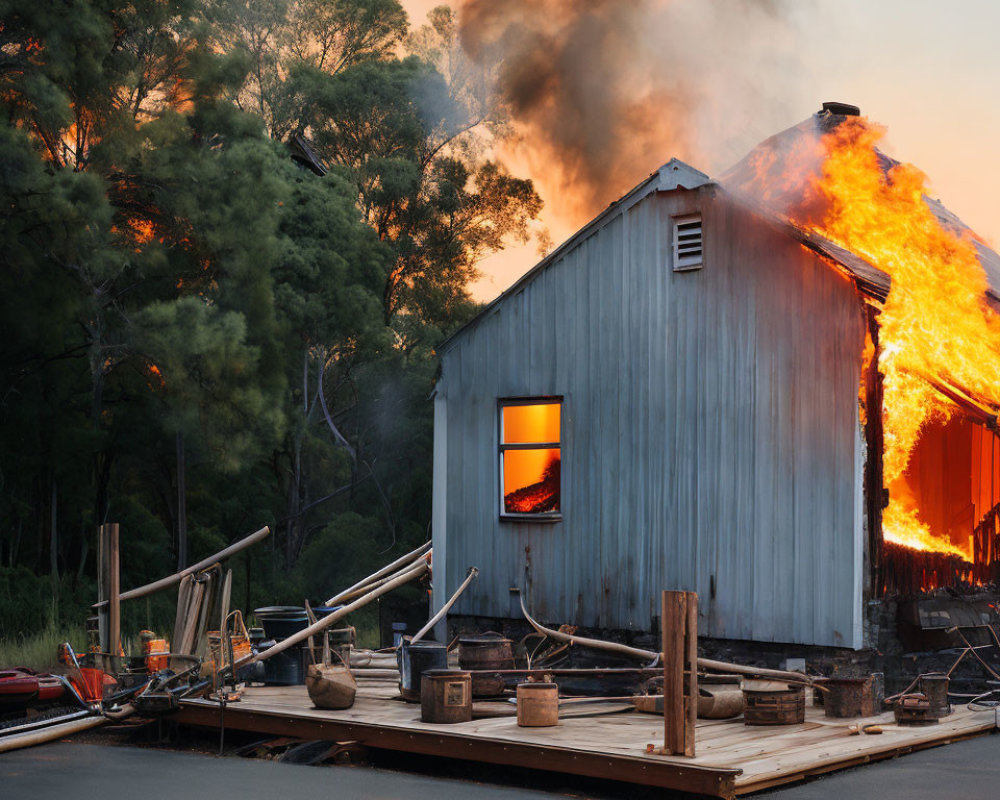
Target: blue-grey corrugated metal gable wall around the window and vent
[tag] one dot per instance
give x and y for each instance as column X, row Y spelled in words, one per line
column 710, row 433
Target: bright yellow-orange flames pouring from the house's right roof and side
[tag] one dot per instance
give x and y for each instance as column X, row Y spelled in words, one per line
column 935, row 322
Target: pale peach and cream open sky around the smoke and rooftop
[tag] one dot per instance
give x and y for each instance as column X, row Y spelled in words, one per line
column 928, row 71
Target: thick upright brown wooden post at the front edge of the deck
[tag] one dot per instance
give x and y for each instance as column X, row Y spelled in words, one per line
column 679, row 639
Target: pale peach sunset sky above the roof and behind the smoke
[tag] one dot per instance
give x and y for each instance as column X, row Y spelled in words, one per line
column 928, row 71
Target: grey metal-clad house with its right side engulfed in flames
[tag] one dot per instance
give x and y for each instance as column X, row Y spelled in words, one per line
column 777, row 389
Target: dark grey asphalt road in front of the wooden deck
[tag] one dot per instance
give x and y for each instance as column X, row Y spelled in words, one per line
column 966, row 771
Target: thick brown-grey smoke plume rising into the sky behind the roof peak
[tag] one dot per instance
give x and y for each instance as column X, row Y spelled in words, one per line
column 601, row 93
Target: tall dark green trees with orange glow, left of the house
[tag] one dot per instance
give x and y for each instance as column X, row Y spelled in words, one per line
column 199, row 337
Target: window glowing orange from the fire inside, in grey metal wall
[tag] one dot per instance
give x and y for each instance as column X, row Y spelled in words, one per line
column 530, row 457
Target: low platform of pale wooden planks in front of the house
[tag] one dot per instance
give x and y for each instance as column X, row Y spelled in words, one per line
column 732, row 759
